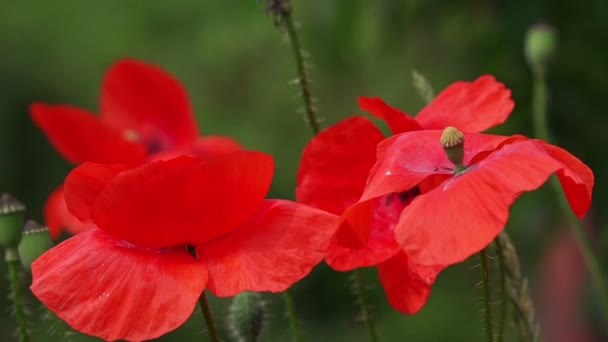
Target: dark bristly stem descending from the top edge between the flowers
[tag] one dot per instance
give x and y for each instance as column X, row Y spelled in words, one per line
column 283, row 16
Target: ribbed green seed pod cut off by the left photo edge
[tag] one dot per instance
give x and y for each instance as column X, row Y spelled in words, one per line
column 12, row 217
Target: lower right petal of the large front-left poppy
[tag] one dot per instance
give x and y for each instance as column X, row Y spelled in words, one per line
column 277, row 247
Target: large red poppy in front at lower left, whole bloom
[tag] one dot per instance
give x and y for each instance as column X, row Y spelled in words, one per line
column 132, row 278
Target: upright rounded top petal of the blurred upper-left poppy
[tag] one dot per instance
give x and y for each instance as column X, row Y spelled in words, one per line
column 143, row 97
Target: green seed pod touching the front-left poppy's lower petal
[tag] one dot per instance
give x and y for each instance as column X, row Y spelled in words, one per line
column 35, row 241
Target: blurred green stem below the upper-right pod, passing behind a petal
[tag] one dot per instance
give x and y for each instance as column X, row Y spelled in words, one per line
column 541, row 128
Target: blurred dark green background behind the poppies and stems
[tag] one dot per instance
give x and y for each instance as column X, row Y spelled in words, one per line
column 236, row 66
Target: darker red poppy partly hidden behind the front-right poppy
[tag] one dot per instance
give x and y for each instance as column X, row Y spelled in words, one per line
column 336, row 163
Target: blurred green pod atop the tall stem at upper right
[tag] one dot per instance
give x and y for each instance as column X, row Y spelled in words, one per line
column 540, row 46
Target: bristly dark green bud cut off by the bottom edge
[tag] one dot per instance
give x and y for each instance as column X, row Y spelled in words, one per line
column 247, row 316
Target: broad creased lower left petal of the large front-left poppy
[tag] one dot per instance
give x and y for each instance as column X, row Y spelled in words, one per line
column 103, row 288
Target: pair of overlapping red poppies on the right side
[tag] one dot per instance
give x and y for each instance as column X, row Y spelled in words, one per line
column 404, row 208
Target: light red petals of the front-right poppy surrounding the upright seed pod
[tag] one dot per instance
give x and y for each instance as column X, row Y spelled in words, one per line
column 458, row 213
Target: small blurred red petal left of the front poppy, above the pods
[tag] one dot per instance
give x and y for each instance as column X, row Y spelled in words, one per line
column 57, row 216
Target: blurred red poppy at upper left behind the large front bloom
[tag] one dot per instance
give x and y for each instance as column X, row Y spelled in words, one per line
column 145, row 114
